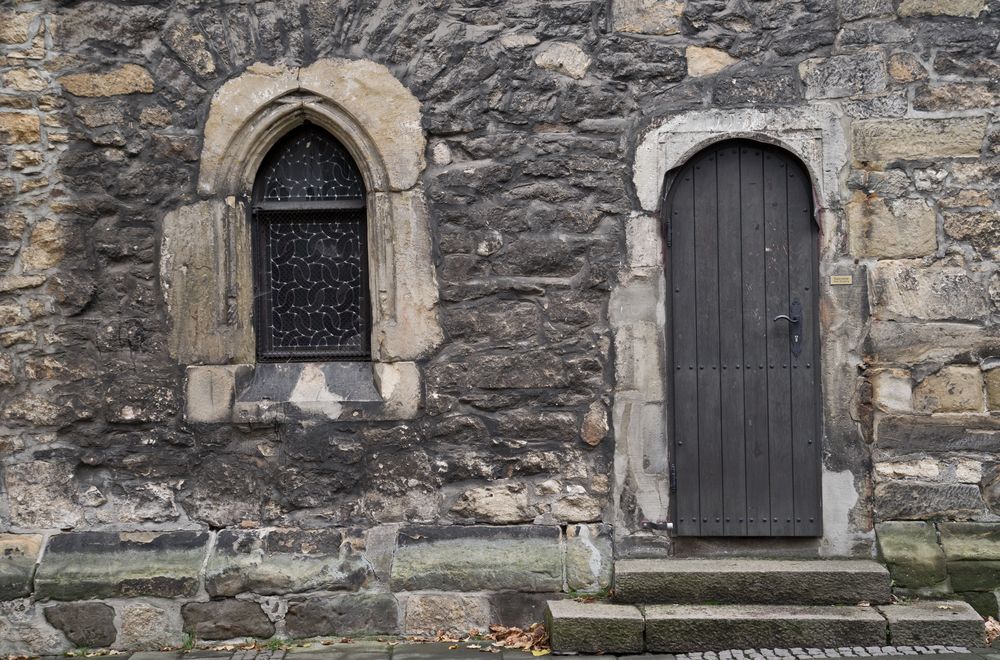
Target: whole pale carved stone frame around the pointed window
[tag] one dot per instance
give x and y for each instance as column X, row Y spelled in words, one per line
column 205, row 267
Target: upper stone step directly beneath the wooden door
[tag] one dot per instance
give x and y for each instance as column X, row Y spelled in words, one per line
column 751, row 581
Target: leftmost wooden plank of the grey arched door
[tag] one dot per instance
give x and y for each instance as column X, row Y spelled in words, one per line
column 684, row 356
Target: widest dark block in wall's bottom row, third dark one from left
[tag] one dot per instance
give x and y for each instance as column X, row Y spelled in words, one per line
column 343, row 615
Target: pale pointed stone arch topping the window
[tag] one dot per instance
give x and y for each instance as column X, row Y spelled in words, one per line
column 358, row 101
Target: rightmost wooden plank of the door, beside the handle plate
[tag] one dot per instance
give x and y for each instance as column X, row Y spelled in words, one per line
column 804, row 391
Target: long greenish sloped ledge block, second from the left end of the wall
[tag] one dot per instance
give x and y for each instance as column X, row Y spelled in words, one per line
column 85, row 565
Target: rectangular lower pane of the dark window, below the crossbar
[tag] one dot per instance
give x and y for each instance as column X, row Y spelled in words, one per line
column 314, row 271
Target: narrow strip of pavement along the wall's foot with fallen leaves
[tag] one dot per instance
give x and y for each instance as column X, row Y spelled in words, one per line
column 410, row 651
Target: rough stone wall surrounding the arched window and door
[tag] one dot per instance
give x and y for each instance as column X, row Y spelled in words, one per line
column 511, row 442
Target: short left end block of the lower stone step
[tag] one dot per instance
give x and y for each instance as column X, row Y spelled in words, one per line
column 594, row 627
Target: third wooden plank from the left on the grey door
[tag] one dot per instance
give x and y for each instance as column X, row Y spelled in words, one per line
column 731, row 342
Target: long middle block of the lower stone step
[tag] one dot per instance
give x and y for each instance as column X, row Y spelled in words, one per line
column 682, row 628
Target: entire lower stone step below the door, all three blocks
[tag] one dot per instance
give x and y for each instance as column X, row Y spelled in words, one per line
column 576, row 627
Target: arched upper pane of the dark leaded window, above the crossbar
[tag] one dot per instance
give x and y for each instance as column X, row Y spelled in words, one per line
column 309, row 164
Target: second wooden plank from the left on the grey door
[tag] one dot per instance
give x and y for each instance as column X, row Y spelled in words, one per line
column 706, row 237
